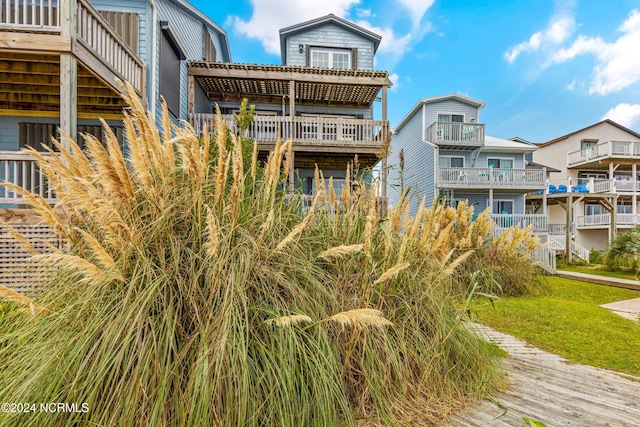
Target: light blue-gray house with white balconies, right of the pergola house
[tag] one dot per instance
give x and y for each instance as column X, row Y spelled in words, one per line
column 446, row 154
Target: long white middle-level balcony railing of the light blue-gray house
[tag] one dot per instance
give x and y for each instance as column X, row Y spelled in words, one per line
column 484, row 178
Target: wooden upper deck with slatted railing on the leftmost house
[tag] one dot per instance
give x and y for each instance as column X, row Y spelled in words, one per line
column 35, row 34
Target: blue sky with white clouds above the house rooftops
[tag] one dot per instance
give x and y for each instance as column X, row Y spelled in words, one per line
column 544, row 68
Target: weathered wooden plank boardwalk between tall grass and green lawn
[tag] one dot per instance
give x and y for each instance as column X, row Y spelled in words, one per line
column 552, row 390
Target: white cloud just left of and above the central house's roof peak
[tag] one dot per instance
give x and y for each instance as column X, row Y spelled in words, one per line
column 269, row 16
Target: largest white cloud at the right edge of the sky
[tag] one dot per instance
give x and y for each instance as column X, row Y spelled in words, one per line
column 618, row 61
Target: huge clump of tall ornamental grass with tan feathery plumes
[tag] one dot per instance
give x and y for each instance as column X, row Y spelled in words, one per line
column 194, row 292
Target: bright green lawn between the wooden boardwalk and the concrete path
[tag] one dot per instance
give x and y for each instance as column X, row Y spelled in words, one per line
column 569, row 322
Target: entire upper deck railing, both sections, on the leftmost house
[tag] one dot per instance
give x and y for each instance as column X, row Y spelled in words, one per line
column 92, row 31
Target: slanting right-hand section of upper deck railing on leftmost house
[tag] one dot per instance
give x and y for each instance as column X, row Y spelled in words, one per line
column 93, row 31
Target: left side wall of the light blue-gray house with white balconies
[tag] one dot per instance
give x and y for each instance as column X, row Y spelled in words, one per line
column 419, row 165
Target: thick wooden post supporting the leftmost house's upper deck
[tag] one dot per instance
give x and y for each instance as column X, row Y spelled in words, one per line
column 68, row 73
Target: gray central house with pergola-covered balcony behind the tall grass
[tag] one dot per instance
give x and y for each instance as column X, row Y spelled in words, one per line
column 321, row 98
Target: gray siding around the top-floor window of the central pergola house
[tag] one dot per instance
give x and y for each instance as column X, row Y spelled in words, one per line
column 329, row 35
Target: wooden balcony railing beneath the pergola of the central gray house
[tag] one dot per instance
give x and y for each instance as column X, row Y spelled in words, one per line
column 306, row 130
